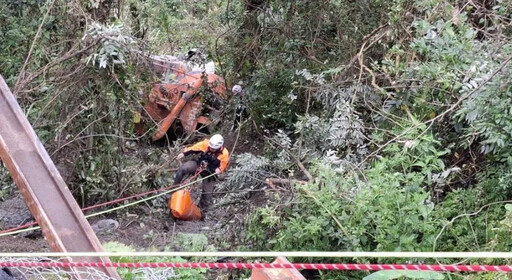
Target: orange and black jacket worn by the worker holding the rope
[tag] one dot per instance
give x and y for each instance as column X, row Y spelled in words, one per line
column 219, row 159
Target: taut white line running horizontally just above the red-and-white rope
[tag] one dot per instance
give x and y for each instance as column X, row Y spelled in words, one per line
column 434, row 255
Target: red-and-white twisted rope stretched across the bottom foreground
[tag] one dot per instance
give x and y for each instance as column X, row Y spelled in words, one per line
column 317, row 266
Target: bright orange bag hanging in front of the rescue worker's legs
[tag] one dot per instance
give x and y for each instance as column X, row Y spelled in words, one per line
column 183, row 207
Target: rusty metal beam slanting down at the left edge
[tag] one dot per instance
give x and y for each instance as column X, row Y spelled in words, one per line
column 47, row 196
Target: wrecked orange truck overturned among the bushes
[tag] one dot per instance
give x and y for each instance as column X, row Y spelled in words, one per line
column 192, row 100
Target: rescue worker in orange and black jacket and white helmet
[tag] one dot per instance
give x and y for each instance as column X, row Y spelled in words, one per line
column 212, row 153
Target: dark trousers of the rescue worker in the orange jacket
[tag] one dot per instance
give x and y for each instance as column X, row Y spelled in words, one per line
column 189, row 168
